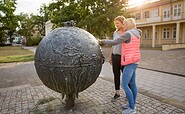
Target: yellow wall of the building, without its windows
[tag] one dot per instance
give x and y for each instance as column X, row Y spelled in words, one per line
column 145, row 24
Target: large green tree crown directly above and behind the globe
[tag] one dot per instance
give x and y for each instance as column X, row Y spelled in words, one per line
column 96, row 16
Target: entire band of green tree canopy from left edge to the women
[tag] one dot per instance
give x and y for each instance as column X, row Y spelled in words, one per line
column 95, row 16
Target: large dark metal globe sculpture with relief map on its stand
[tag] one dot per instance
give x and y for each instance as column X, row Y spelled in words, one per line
column 68, row 60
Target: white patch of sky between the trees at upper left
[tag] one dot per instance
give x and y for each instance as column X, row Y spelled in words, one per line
column 30, row 6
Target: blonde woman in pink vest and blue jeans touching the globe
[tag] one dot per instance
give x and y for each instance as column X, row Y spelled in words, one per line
column 130, row 58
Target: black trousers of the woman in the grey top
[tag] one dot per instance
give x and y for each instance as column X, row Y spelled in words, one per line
column 117, row 69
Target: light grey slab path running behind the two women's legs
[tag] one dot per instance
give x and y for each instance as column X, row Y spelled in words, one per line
column 167, row 87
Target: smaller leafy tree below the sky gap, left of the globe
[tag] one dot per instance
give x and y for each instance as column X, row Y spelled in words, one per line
column 29, row 25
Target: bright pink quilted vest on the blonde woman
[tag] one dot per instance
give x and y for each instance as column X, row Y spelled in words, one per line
column 131, row 52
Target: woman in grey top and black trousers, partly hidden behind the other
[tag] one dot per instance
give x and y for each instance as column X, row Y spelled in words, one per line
column 115, row 58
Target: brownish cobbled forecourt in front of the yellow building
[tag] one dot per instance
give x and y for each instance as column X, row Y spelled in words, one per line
column 171, row 61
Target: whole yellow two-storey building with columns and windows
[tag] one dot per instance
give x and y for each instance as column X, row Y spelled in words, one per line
column 162, row 22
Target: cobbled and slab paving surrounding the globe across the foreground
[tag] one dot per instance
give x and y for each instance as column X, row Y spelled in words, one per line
column 21, row 92
